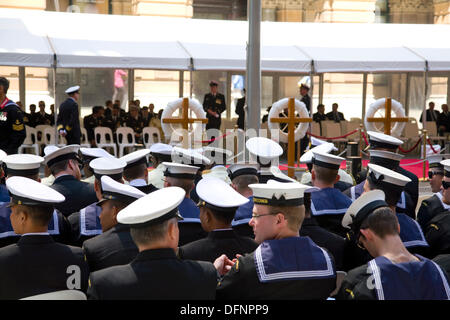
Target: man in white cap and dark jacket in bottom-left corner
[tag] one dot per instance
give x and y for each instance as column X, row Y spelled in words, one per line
column 37, row 264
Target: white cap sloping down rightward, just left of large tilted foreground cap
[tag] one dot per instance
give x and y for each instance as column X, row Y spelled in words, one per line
column 113, row 190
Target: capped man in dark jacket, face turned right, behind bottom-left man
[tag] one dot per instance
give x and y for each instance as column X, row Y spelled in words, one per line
column 64, row 164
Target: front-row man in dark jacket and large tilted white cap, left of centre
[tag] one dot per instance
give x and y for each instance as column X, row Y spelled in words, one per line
column 156, row 272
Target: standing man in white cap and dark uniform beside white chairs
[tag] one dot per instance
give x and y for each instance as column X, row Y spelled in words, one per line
column 68, row 122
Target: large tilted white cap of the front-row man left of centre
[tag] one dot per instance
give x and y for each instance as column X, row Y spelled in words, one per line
column 153, row 208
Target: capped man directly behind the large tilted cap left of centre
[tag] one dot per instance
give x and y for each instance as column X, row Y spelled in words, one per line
column 136, row 172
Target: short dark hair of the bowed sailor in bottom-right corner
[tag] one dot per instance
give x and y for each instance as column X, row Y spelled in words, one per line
column 382, row 222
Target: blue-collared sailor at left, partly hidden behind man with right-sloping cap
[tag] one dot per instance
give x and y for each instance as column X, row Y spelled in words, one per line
column 86, row 222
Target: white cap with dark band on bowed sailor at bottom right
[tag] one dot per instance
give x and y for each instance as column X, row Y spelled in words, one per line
column 361, row 208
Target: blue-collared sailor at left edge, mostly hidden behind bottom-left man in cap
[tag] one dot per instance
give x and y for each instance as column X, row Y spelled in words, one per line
column 27, row 165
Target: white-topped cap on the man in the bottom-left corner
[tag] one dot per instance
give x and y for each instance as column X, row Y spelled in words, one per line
column 28, row 192
